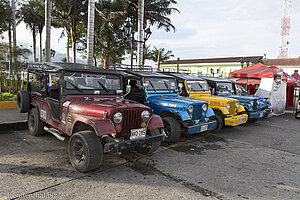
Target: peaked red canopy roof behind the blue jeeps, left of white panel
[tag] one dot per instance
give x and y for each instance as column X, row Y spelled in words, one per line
column 254, row 71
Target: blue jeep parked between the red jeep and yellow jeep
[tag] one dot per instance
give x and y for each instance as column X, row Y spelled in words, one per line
column 160, row 93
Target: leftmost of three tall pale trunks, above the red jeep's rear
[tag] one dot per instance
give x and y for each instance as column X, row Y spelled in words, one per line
column 48, row 30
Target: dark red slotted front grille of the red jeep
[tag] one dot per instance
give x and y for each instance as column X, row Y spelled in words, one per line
column 131, row 120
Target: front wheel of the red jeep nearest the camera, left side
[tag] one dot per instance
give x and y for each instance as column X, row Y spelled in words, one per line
column 85, row 151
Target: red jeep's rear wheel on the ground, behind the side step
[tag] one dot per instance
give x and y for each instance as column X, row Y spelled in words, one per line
column 35, row 125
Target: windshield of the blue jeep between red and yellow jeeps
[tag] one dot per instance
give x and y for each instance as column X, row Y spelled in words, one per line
column 158, row 84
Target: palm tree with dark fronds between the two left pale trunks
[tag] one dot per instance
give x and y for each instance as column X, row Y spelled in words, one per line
column 73, row 13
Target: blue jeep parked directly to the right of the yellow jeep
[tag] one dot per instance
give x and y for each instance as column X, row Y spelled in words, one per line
column 224, row 87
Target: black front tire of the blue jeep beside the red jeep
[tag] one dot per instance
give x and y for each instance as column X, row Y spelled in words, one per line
column 172, row 129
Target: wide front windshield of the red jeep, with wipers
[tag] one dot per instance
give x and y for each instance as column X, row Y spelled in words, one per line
column 92, row 81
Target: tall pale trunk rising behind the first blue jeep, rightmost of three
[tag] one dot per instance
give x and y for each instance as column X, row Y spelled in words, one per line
column 140, row 47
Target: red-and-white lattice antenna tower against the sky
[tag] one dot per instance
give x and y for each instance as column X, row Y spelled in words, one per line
column 285, row 29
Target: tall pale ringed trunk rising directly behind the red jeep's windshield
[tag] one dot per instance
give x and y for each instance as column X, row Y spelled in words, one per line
column 90, row 33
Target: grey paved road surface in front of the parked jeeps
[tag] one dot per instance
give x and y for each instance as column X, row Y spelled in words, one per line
column 255, row 161
